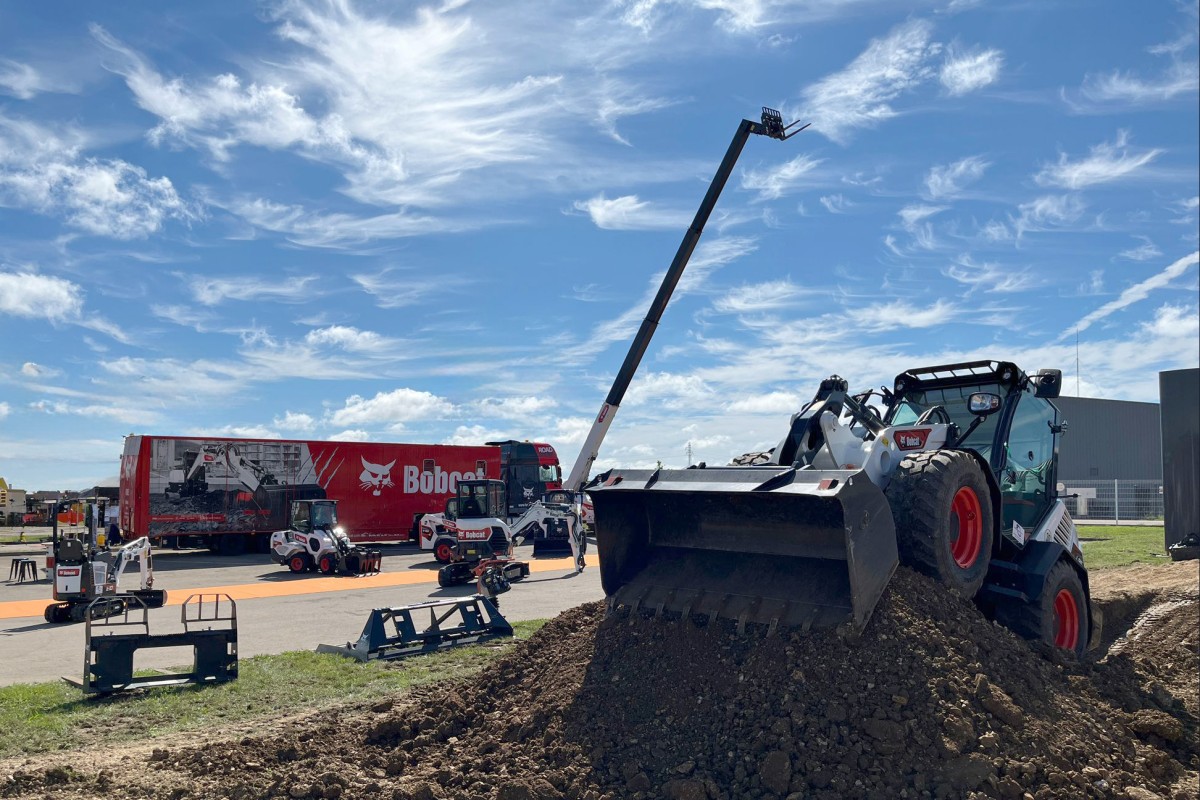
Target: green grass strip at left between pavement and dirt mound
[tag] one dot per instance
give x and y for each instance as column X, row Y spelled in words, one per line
column 43, row 718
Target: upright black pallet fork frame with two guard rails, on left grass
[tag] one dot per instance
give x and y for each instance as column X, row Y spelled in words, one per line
column 110, row 645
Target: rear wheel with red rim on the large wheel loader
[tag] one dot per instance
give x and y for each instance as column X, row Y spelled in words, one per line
column 1059, row 617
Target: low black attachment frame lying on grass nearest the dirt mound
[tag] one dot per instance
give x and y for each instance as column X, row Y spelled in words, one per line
column 479, row 621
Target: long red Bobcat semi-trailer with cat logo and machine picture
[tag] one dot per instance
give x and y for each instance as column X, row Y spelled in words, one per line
column 236, row 492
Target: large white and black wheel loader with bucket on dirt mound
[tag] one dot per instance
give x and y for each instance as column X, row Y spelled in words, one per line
column 955, row 477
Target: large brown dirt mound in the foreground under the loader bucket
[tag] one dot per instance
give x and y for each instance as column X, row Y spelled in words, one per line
column 933, row 701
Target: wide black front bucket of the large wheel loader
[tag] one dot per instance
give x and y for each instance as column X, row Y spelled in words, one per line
column 769, row 545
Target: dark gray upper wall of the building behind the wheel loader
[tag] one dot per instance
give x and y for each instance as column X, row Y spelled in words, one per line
column 1111, row 441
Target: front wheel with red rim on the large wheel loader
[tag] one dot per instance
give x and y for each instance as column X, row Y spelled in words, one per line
column 944, row 518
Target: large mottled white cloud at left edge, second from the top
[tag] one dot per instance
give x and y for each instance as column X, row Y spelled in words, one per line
column 105, row 197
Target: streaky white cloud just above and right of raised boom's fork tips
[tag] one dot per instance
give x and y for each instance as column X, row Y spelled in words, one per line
column 862, row 94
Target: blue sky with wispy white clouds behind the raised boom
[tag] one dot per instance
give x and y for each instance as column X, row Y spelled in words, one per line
column 445, row 222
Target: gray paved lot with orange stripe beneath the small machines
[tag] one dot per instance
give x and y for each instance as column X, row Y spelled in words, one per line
column 277, row 611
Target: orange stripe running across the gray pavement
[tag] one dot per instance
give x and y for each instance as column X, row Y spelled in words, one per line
column 299, row 586
